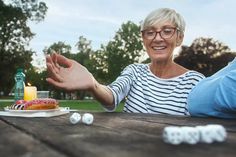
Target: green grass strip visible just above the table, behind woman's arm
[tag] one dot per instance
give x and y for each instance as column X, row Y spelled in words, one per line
column 87, row 105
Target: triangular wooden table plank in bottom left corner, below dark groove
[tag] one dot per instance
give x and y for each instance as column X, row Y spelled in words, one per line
column 14, row 143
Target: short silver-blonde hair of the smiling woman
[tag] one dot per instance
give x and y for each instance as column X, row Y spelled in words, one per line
column 163, row 15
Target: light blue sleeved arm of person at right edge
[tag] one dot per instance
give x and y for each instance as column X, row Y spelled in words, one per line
column 216, row 95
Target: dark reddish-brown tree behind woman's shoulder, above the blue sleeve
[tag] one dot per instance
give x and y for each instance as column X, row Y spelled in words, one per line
column 205, row 55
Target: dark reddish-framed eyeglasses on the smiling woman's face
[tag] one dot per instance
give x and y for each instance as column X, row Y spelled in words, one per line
column 165, row 33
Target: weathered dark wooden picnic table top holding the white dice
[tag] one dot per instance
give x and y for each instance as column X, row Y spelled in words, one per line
column 111, row 135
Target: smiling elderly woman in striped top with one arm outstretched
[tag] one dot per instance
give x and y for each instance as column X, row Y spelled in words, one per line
column 160, row 87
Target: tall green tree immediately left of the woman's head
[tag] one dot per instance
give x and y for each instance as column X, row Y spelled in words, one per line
column 125, row 48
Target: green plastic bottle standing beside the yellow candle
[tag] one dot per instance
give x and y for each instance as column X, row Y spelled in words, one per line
column 19, row 84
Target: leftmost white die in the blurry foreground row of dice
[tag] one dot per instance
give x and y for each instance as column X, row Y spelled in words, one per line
column 173, row 135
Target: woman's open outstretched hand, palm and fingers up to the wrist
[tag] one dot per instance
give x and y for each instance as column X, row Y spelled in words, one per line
column 68, row 74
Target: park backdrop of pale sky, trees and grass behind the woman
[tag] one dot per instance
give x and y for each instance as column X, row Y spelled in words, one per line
column 104, row 36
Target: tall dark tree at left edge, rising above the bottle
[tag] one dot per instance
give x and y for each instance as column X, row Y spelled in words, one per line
column 15, row 36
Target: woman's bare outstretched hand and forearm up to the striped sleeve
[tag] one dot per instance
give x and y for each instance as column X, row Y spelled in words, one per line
column 70, row 75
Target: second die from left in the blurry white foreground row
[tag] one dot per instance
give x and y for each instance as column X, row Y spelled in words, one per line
column 190, row 135
